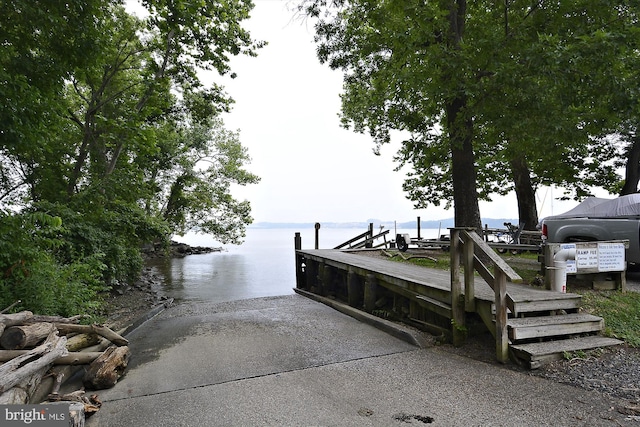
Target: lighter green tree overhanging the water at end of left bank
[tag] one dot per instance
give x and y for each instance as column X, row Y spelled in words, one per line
column 195, row 193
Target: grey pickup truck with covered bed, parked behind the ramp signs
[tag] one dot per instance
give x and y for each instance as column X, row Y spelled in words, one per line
column 598, row 219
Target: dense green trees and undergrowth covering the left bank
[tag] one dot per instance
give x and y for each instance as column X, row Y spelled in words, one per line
column 110, row 141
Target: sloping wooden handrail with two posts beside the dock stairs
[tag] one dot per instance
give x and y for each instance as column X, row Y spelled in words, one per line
column 471, row 252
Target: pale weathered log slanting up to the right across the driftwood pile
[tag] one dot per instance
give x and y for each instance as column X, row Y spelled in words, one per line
column 15, row 370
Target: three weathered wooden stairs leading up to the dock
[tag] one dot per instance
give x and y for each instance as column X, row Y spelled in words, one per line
column 545, row 330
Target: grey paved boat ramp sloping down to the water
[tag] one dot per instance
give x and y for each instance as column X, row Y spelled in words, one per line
column 290, row 361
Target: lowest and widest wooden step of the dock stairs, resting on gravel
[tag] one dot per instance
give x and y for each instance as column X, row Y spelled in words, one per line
column 537, row 354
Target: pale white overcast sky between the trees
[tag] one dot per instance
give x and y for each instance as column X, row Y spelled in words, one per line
column 286, row 110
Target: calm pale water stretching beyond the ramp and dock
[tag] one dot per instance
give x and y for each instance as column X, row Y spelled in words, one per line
column 264, row 265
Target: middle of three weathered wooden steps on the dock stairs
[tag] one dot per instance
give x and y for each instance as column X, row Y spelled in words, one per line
column 548, row 326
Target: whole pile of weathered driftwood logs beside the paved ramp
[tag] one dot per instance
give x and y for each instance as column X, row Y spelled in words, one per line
column 26, row 372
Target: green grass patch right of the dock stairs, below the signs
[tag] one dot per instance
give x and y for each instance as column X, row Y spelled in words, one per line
column 620, row 311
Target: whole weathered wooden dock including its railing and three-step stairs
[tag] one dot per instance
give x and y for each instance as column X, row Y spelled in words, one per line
column 530, row 325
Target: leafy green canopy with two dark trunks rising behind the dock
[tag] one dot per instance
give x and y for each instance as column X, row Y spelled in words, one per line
column 495, row 97
